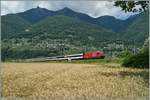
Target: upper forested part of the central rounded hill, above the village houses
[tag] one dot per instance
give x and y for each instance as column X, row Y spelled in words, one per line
column 64, row 27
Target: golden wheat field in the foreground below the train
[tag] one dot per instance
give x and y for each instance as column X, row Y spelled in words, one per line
column 66, row 81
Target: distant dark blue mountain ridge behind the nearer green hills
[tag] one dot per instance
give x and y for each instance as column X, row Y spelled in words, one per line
column 36, row 14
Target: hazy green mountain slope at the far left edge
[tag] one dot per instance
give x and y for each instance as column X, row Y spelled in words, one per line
column 12, row 24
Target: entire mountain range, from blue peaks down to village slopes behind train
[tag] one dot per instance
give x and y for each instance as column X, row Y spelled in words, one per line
column 40, row 32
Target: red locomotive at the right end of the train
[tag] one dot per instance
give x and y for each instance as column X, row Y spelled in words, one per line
column 93, row 54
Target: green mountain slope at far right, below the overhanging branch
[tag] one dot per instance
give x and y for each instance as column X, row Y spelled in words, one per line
column 139, row 29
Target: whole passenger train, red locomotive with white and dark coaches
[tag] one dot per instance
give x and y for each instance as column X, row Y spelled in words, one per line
column 85, row 55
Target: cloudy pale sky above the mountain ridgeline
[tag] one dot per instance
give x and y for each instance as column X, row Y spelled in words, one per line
column 92, row 8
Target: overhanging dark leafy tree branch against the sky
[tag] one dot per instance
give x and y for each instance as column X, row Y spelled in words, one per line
column 132, row 6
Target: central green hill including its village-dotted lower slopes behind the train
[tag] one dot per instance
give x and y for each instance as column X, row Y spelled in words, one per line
column 55, row 35
